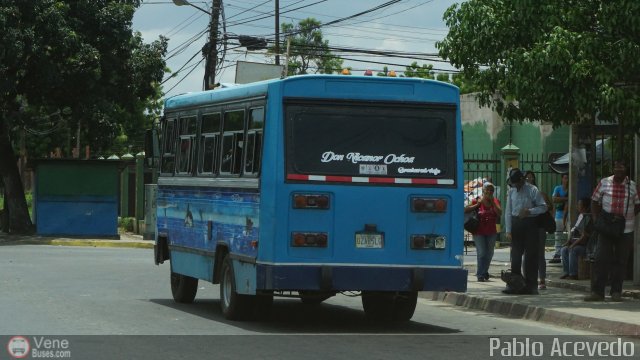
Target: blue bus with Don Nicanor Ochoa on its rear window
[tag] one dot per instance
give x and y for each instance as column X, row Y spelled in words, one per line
column 311, row 186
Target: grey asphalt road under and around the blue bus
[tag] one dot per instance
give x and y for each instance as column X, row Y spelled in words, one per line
column 115, row 303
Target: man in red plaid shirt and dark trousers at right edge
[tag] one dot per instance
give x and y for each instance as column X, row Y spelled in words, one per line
column 617, row 195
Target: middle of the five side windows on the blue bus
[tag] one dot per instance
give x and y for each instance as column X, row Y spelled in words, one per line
column 209, row 144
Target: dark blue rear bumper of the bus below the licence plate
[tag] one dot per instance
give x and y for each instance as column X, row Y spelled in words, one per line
column 355, row 278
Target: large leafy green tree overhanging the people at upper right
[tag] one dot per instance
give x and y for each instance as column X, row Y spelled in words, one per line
column 556, row 61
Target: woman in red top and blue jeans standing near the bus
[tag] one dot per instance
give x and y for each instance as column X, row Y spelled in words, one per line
column 489, row 210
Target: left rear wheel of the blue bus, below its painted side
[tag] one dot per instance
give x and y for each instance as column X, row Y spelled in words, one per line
column 233, row 305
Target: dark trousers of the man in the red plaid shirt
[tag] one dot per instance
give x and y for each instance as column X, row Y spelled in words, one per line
column 611, row 261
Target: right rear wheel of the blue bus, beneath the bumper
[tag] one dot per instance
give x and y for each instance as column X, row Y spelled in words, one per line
column 389, row 306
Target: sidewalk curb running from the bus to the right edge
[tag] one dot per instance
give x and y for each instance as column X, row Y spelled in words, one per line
column 535, row 313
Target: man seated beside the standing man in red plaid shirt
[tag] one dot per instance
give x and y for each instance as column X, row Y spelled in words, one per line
column 576, row 245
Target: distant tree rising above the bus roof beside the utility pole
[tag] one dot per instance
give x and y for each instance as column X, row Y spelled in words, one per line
column 308, row 52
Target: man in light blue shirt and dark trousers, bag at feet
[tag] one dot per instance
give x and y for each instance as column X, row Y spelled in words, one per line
column 524, row 203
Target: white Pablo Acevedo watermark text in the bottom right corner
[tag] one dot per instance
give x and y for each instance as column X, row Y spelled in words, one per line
column 526, row 347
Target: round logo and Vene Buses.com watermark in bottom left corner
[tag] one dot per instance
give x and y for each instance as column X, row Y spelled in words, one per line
column 38, row 347
